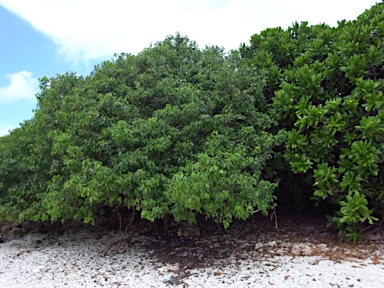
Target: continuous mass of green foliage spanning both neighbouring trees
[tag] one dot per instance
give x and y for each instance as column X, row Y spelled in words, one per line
column 184, row 131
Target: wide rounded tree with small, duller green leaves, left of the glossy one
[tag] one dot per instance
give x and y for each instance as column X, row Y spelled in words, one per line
column 174, row 130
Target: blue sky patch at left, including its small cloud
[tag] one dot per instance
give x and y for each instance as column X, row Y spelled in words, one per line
column 26, row 55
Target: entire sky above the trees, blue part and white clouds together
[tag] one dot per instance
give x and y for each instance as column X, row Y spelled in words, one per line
column 48, row 37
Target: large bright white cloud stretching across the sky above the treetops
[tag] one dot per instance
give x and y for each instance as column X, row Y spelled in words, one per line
column 89, row 29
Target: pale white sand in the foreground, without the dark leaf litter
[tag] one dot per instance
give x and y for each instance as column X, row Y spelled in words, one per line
column 73, row 260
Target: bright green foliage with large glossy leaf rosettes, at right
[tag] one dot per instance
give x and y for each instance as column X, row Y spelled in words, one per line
column 327, row 86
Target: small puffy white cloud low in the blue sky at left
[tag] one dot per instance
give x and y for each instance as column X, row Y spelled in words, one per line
column 22, row 86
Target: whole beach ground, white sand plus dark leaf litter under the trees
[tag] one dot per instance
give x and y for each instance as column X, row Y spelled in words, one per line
column 252, row 255
